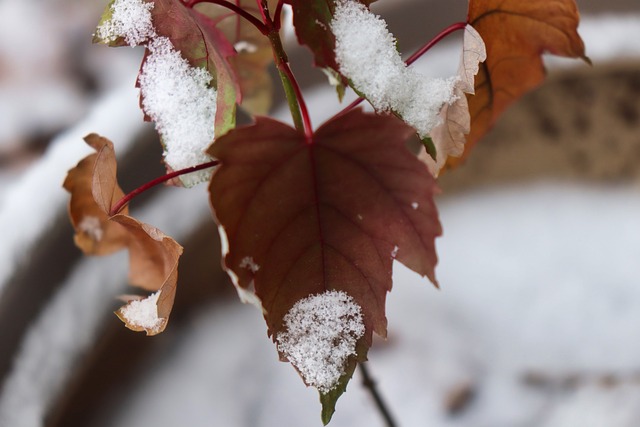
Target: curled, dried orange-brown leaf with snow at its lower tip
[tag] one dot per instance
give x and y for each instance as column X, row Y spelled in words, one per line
column 153, row 256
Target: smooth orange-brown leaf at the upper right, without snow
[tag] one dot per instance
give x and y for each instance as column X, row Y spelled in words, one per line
column 516, row 34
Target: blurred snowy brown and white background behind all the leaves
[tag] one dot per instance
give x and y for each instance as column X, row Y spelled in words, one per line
column 538, row 319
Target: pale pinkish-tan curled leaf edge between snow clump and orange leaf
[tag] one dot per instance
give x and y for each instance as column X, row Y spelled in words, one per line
column 449, row 136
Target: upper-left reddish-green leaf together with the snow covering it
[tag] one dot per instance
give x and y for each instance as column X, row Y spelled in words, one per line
column 187, row 87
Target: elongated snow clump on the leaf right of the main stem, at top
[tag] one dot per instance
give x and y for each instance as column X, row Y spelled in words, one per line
column 366, row 53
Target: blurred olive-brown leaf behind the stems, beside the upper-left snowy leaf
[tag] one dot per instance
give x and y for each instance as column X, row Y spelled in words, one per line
column 253, row 49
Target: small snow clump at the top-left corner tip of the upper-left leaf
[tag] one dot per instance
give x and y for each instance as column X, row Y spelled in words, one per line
column 131, row 20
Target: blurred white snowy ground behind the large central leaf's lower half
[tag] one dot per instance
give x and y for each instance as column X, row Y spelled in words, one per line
column 536, row 281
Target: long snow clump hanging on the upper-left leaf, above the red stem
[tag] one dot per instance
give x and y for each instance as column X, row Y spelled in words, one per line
column 179, row 100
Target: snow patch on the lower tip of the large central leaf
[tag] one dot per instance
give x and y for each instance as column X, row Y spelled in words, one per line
column 321, row 333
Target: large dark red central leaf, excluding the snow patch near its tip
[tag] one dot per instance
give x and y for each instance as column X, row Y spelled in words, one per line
column 296, row 208
